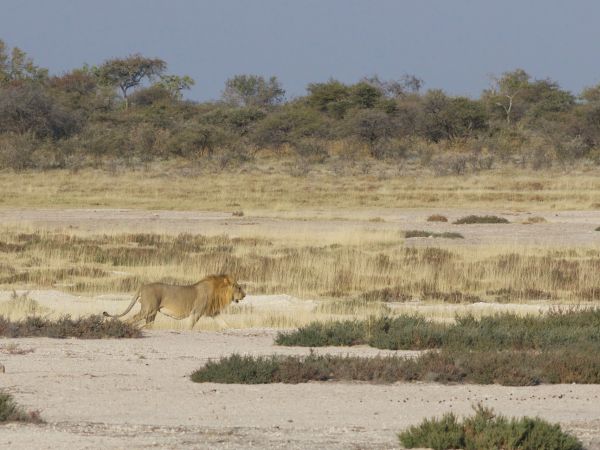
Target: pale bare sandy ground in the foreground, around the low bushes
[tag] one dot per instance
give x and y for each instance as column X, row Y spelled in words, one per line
column 137, row 394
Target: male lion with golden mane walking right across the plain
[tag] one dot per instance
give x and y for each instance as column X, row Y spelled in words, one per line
column 208, row 297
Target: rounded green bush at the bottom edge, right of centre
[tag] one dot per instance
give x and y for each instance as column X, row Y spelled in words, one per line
column 485, row 430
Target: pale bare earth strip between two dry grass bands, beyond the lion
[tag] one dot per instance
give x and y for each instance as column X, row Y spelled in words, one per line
column 568, row 228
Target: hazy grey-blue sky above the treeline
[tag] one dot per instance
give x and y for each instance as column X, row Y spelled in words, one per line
column 450, row 44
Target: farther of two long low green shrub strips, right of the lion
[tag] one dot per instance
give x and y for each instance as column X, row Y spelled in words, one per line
column 499, row 332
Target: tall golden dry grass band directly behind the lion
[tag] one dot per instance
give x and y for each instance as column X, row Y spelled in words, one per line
column 369, row 266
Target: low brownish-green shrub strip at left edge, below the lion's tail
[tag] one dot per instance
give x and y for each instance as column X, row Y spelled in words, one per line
column 92, row 327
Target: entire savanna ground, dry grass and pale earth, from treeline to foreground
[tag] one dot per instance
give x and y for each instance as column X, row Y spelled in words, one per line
column 321, row 246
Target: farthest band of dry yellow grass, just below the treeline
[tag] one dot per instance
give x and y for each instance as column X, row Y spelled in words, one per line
column 181, row 186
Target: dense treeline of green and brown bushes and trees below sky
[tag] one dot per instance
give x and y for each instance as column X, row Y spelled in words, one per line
column 132, row 109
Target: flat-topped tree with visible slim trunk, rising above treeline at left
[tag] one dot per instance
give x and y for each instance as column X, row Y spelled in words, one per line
column 127, row 73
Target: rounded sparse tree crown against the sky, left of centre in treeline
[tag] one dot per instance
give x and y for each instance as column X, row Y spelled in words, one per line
column 253, row 90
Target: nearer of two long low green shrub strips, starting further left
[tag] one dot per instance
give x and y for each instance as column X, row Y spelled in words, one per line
column 511, row 368
